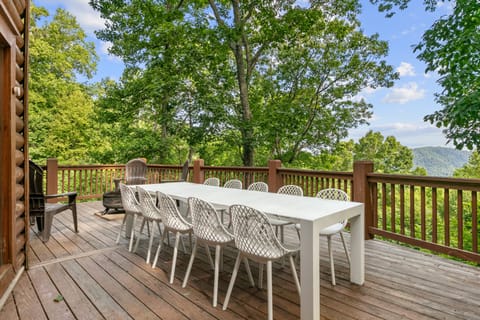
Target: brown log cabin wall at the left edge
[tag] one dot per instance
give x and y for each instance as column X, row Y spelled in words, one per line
column 14, row 22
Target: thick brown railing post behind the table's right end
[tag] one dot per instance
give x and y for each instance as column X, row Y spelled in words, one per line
column 361, row 191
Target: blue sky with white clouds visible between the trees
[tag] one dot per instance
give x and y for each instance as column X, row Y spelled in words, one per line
column 398, row 111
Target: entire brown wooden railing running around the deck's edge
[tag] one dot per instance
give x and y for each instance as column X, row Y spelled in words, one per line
column 438, row 214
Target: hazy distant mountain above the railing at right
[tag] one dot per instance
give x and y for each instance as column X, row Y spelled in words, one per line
column 439, row 161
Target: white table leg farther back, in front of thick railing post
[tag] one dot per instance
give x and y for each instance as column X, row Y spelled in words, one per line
column 357, row 249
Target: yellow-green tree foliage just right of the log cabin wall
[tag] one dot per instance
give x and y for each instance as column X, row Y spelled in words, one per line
column 60, row 109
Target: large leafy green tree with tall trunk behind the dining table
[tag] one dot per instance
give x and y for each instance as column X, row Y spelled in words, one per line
column 237, row 76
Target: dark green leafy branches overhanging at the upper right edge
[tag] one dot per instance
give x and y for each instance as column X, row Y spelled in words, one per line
column 451, row 48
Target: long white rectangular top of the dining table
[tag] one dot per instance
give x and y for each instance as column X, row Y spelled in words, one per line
column 291, row 207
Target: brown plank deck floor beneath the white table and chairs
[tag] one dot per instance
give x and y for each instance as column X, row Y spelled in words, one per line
column 98, row 279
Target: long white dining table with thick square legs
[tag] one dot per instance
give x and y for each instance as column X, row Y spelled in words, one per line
column 313, row 214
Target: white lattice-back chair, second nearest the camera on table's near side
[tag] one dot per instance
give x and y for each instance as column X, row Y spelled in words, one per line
column 210, row 231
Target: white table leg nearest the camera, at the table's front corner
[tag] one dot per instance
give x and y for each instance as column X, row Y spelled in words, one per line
column 309, row 271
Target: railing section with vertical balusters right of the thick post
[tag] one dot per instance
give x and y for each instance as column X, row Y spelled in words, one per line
column 438, row 214
